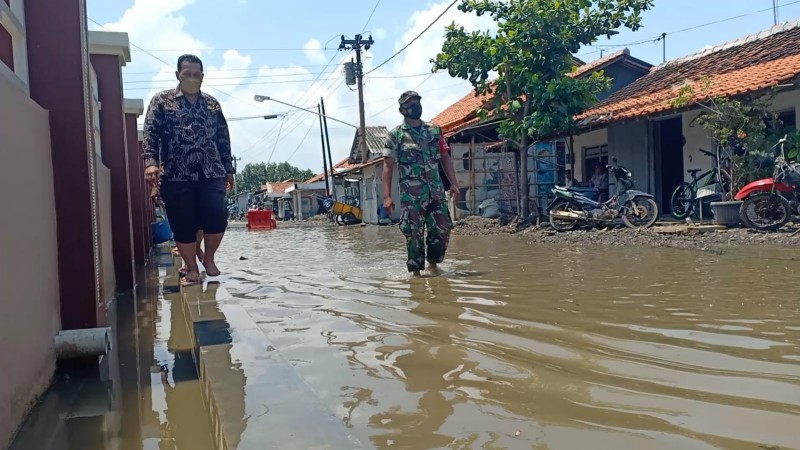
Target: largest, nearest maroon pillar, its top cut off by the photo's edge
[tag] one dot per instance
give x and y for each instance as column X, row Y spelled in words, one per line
column 58, row 76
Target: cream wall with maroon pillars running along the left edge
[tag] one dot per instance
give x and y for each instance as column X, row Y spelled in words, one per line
column 75, row 239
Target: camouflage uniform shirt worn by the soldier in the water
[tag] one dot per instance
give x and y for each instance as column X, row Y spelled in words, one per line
column 417, row 153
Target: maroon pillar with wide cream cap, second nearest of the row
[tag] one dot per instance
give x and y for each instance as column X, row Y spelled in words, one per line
column 109, row 52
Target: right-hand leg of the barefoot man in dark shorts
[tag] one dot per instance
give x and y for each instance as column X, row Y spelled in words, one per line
column 214, row 221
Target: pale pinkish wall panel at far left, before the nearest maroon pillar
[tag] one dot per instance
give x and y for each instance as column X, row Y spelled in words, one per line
column 29, row 310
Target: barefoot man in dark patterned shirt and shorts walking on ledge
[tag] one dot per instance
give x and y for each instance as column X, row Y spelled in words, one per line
column 185, row 130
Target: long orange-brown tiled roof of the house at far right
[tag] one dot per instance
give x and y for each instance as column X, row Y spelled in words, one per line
column 744, row 66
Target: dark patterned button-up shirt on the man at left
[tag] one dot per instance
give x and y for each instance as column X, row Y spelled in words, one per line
column 190, row 140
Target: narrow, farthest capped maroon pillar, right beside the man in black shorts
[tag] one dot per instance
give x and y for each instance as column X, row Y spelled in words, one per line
column 133, row 109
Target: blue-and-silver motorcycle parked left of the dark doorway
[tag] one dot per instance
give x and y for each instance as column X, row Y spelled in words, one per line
column 573, row 206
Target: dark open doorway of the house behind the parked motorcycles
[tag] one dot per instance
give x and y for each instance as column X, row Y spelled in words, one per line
column 669, row 135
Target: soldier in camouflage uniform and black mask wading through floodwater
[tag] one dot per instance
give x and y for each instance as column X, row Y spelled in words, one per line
column 418, row 148
